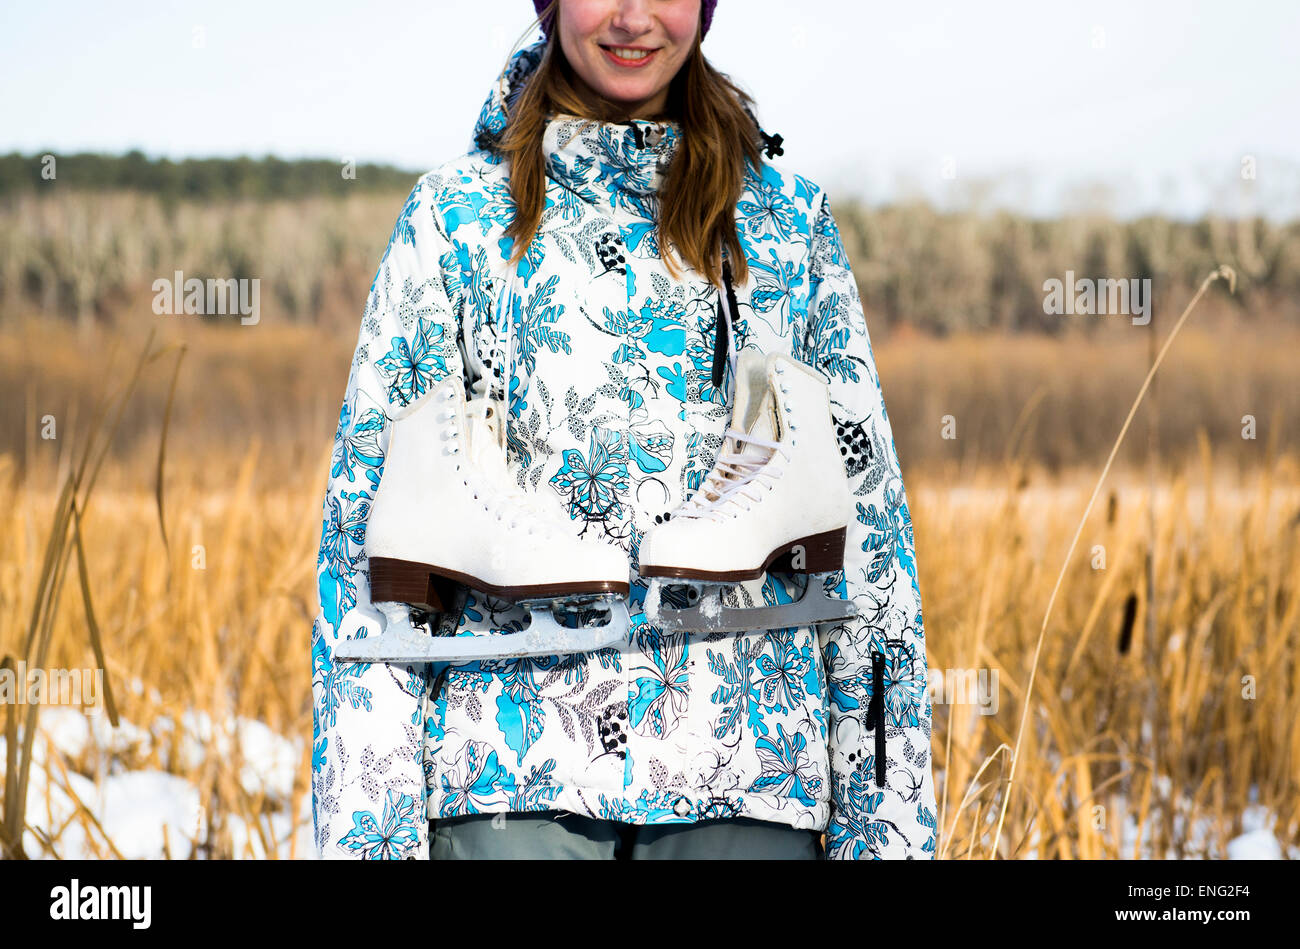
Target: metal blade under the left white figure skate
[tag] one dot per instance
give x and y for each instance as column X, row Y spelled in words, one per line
column 402, row 643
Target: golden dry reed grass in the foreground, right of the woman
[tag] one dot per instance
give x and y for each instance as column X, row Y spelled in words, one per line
column 1123, row 733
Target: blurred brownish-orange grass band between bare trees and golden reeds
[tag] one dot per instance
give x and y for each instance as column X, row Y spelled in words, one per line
column 283, row 385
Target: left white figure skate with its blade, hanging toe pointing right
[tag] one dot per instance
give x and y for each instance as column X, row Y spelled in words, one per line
column 448, row 517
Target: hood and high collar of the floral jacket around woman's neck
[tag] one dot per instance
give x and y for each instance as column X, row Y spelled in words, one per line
column 618, row 166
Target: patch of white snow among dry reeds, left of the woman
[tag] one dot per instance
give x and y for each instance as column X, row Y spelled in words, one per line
column 148, row 813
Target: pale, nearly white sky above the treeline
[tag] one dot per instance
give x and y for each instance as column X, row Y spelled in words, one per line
column 1136, row 106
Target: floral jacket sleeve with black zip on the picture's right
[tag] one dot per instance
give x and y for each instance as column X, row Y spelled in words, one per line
column 882, row 796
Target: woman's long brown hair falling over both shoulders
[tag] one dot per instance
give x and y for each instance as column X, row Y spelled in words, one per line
column 701, row 187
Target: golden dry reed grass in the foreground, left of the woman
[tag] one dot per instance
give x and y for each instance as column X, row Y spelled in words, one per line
column 226, row 642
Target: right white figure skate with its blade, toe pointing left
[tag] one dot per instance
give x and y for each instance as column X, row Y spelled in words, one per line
column 778, row 499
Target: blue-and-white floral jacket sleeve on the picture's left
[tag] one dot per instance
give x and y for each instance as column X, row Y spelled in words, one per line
column 369, row 783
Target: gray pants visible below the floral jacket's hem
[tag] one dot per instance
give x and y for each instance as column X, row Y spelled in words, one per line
column 556, row 835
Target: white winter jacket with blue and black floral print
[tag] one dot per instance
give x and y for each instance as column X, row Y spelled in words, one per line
column 613, row 406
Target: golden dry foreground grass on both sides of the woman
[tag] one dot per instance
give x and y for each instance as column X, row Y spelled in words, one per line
column 1159, row 736
